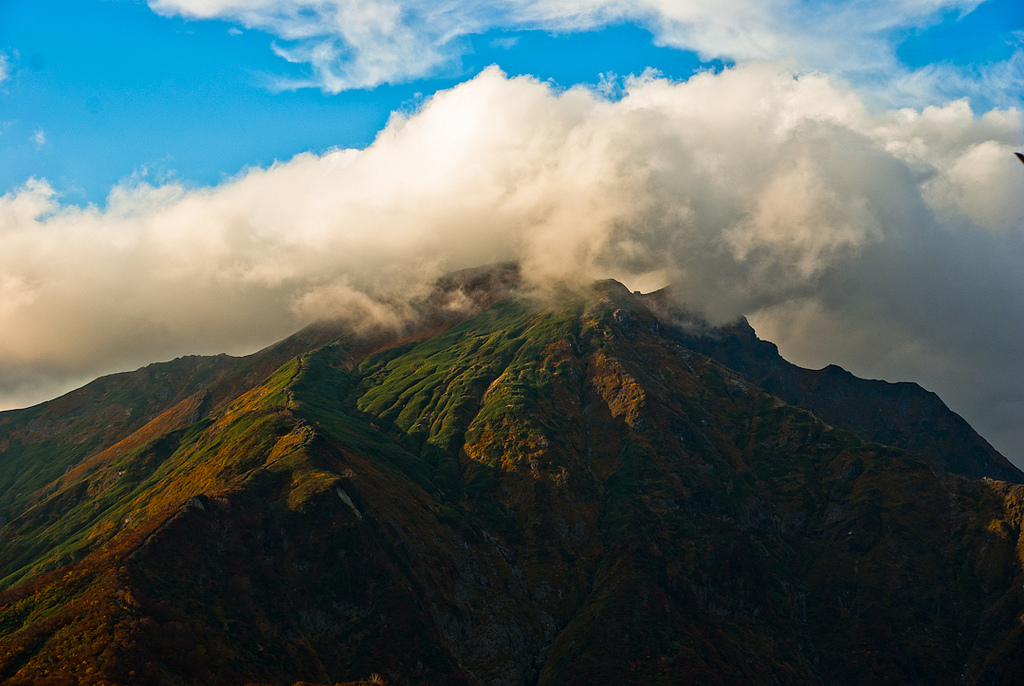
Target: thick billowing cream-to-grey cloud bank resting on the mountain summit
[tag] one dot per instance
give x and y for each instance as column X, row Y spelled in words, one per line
column 892, row 244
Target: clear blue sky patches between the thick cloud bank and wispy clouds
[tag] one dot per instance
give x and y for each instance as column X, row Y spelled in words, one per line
column 101, row 91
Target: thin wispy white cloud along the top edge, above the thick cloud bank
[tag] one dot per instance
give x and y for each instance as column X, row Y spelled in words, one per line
column 364, row 44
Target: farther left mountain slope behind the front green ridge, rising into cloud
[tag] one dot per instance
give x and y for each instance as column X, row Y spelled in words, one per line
column 135, row 419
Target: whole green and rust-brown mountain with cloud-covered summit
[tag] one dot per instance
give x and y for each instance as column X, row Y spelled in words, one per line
column 579, row 490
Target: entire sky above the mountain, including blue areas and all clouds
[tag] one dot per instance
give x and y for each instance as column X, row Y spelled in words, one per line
column 201, row 177
